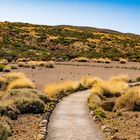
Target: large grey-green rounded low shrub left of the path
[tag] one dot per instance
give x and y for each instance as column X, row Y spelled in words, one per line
column 17, row 101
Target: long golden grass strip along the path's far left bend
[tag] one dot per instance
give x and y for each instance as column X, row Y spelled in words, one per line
column 62, row 89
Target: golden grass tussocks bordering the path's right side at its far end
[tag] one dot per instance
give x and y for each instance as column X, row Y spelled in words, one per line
column 104, row 93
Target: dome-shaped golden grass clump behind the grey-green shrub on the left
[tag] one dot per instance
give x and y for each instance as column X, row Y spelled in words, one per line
column 21, row 83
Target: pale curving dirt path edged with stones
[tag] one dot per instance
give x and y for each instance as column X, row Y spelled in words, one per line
column 71, row 120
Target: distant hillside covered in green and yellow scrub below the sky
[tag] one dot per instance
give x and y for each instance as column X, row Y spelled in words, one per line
column 41, row 42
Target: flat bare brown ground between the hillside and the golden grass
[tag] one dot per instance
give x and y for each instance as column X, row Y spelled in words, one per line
column 65, row 71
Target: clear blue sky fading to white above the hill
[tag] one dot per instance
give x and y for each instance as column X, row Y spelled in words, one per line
column 120, row 15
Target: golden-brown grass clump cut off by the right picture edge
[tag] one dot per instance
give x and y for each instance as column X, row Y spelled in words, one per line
column 130, row 100
